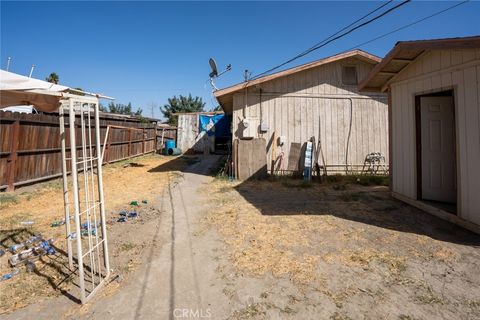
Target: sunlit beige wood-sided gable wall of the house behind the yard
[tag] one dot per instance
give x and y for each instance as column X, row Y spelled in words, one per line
column 314, row 102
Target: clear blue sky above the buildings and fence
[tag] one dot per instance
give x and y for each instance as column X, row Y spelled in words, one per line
column 145, row 52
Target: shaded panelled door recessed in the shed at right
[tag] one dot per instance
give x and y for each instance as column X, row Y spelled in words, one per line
column 438, row 149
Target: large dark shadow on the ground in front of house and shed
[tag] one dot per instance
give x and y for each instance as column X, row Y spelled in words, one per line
column 370, row 205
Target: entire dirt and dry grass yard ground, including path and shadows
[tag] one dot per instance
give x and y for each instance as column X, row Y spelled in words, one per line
column 279, row 249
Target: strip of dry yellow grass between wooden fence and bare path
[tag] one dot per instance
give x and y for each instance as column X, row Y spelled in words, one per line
column 134, row 179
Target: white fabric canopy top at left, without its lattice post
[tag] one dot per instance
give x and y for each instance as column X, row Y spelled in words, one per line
column 17, row 90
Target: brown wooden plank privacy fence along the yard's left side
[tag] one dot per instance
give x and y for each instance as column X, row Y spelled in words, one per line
column 30, row 148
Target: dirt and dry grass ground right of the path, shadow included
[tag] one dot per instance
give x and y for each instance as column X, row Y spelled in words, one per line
column 340, row 251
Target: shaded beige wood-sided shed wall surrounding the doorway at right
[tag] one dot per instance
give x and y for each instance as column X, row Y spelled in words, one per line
column 437, row 71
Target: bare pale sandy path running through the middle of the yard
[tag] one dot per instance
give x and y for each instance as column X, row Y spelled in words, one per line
column 175, row 278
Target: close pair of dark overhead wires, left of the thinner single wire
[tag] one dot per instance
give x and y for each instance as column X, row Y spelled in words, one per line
column 330, row 39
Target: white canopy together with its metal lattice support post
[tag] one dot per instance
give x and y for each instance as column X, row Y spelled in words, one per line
column 83, row 191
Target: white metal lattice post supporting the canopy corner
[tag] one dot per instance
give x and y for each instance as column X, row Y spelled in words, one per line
column 85, row 188
